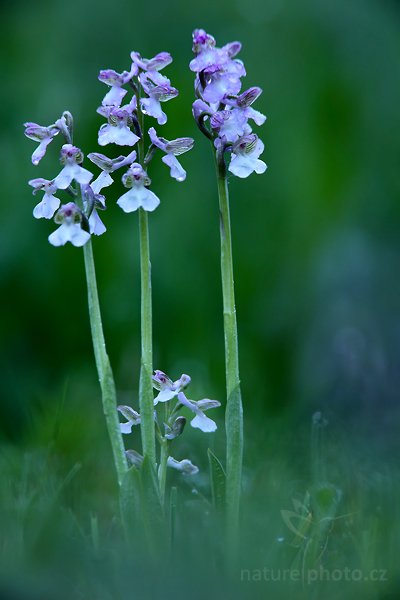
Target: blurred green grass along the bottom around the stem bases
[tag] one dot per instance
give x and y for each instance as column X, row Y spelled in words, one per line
column 61, row 535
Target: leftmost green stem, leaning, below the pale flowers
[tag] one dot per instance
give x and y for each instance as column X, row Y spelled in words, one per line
column 107, row 384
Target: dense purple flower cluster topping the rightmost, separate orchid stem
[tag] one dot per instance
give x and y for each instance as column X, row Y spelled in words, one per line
column 220, row 110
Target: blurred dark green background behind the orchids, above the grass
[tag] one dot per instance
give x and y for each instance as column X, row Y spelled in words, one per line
column 316, row 239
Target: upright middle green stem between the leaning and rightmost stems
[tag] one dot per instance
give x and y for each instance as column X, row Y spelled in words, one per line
column 146, row 397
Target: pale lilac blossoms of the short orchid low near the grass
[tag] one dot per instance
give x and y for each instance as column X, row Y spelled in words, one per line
column 173, row 423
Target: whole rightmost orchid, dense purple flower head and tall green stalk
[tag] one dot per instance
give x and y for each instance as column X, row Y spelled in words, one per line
column 224, row 115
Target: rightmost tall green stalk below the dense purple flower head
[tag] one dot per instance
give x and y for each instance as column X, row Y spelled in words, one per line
column 234, row 411
